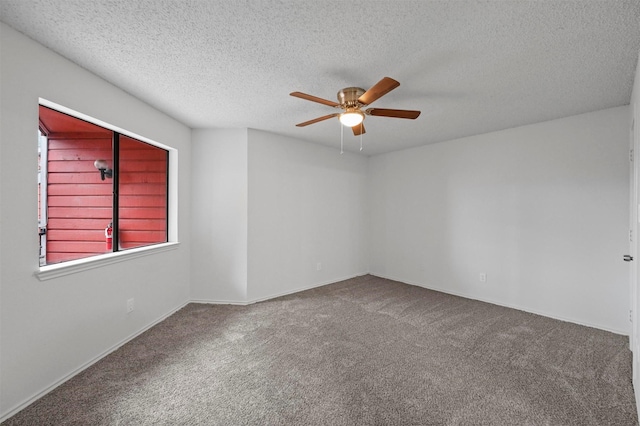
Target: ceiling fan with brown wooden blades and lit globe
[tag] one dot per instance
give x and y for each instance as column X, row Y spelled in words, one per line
column 352, row 99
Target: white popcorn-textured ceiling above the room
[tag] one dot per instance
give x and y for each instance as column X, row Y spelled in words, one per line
column 471, row 67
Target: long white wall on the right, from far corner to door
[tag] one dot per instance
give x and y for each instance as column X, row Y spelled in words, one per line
column 541, row 209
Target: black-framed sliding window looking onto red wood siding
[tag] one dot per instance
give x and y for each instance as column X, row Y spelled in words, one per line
column 99, row 190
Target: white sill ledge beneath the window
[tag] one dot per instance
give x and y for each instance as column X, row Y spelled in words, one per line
column 71, row 267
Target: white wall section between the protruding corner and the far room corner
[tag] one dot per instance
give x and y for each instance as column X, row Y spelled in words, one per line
column 307, row 205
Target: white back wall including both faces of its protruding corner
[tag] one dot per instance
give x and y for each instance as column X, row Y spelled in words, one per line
column 267, row 209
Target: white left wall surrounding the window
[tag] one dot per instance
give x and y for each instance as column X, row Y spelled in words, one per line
column 50, row 329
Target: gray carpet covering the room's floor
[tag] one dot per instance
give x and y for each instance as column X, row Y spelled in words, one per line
column 365, row 351
